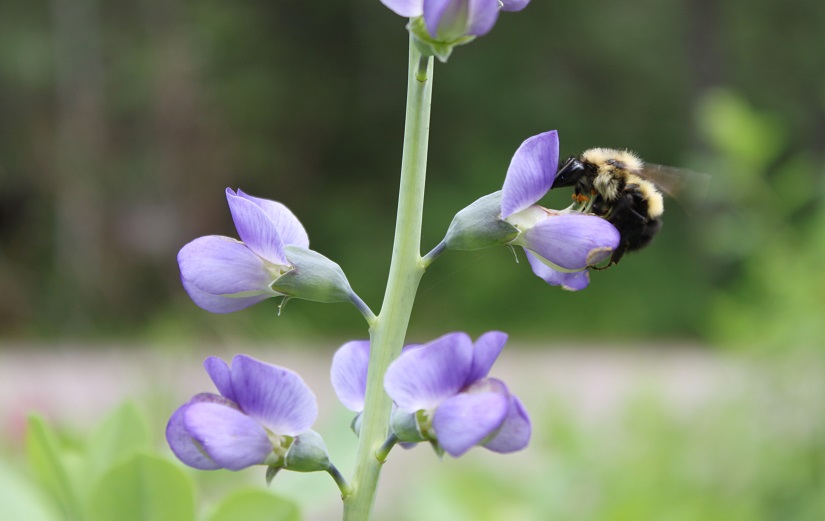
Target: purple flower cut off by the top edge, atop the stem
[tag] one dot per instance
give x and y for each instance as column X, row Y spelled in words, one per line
column 451, row 20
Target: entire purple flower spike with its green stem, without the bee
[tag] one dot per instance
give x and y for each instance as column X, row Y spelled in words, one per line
column 441, row 391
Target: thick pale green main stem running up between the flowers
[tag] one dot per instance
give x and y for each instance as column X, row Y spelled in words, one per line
column 390, row 327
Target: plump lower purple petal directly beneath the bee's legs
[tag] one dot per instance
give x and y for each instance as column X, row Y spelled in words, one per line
column 571, row 241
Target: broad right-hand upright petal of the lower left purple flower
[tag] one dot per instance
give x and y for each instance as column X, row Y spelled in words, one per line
column 273, row 395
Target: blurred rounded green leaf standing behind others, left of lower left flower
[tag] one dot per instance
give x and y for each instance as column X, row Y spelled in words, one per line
column 123, row 433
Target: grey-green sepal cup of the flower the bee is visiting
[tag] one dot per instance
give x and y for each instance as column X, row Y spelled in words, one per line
column 480, row 226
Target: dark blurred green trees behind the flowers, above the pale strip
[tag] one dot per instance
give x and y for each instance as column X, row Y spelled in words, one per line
column 123, row 121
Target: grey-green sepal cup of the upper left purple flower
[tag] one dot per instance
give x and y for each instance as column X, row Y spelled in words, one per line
column 312, row 277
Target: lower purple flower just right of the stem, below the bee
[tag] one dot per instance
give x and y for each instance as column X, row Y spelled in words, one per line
column 444, row 384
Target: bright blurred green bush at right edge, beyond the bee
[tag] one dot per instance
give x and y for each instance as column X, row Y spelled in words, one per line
column 765, row 227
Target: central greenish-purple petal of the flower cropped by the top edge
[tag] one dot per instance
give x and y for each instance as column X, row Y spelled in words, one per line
column 451, row 19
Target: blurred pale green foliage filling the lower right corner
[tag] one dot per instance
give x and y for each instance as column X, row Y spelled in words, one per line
column 754, row 455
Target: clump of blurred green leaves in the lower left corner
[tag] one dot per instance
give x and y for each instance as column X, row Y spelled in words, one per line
column 115, row 474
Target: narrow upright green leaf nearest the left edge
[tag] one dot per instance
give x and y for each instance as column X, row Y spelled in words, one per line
column 46, row 460
